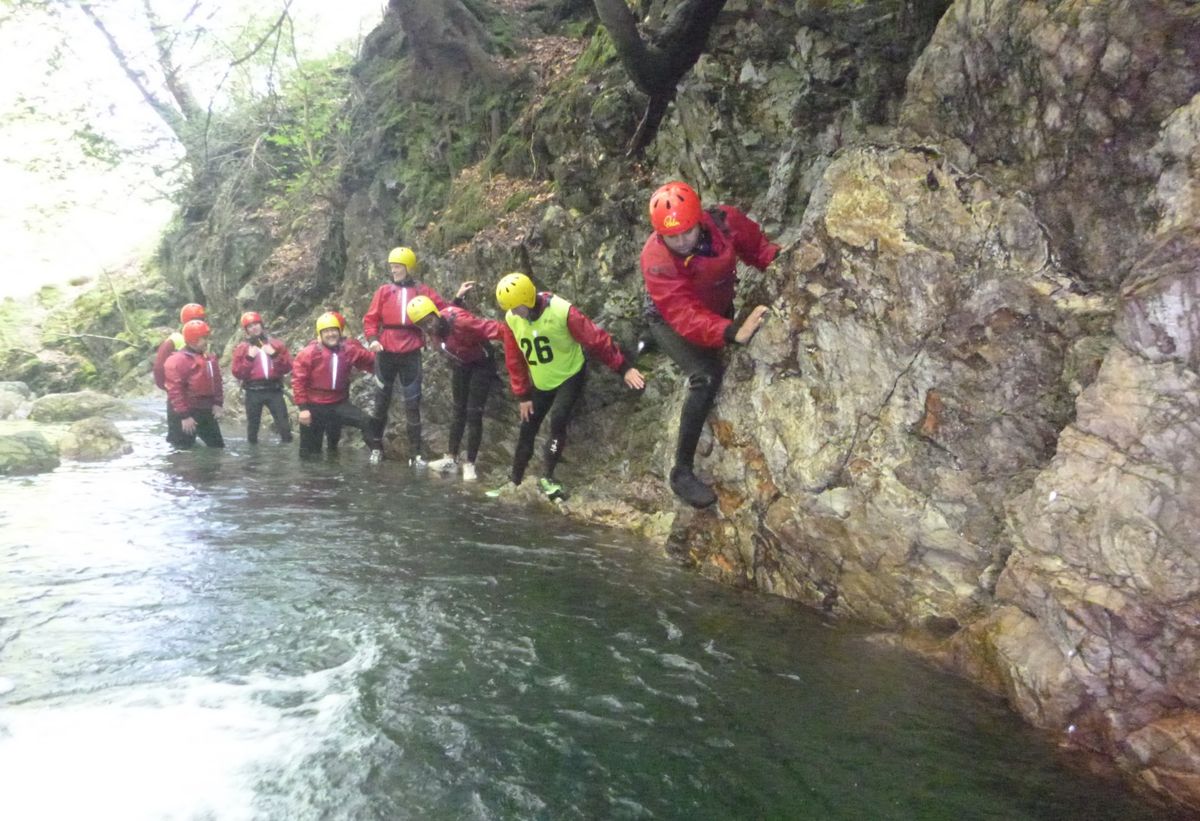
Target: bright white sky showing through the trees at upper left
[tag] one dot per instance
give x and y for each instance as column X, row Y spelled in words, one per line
column 65, row 214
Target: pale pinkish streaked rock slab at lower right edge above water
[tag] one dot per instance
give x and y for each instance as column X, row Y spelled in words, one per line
column 1108, row 565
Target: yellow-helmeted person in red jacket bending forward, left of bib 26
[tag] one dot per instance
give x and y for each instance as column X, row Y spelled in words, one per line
column 464, row 339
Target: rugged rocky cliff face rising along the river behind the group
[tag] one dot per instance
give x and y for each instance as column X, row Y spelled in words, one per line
column 974, row 414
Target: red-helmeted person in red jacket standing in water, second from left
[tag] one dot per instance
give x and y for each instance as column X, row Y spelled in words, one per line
column 195, row 393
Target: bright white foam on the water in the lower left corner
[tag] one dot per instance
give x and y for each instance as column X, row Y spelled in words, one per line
column 191, row 748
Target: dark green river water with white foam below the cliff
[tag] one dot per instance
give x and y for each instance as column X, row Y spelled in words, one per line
column 235, row 636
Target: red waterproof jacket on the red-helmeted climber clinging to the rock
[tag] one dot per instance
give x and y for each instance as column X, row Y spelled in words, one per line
column 695, row 295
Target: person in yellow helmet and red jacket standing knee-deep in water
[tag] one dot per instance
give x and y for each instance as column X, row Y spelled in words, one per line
column 321, row 386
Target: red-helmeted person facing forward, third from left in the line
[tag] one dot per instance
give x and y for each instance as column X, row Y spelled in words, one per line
column 261, row 363
